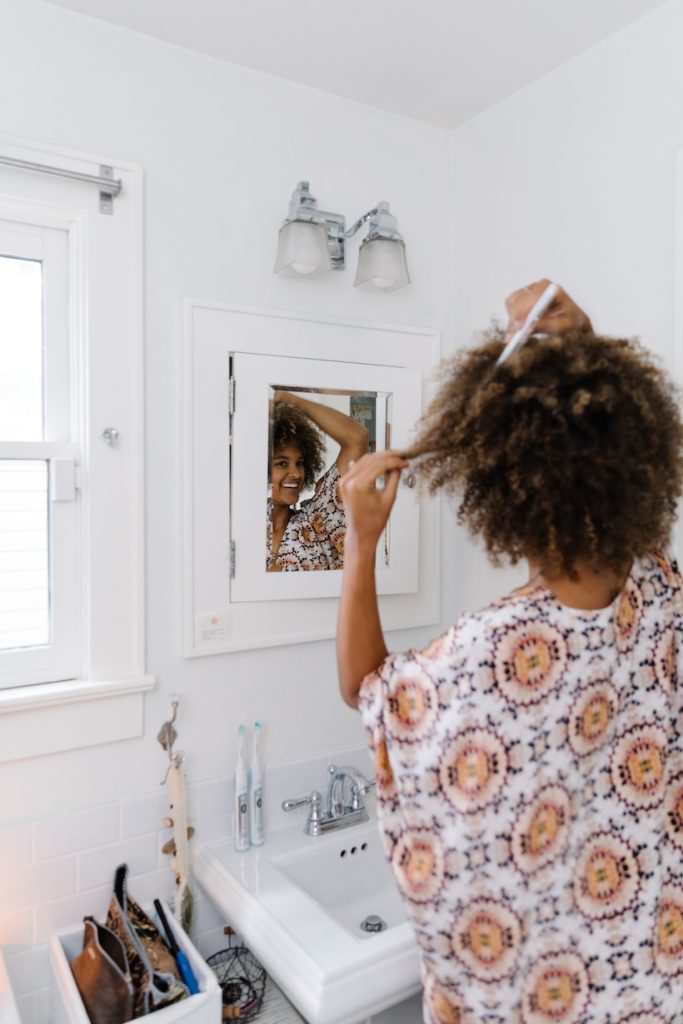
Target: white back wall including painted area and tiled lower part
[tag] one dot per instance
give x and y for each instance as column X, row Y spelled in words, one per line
column 222, row 149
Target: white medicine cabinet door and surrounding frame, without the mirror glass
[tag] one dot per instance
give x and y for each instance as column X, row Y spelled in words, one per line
column 233, row 358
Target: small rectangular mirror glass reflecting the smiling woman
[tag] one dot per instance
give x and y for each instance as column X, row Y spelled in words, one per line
column 314, row 435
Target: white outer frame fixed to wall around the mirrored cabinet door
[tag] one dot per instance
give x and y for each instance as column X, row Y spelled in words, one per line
column 214, row 623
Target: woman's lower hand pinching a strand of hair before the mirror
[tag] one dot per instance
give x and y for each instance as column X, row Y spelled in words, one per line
column 367, row 507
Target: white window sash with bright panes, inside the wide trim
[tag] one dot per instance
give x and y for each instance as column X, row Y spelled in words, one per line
column 38, row 508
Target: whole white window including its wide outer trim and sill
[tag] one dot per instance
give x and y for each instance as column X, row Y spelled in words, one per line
column 72, row 614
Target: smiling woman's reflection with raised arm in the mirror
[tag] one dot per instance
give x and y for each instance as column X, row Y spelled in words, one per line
column 309, row 535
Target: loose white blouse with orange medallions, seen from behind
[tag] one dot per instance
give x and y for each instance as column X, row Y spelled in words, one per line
column 530, row 770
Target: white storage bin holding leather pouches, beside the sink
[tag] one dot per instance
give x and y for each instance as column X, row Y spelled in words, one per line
column 67, row 1006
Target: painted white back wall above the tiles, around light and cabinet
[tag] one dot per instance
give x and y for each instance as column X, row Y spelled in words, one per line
column 222, row 148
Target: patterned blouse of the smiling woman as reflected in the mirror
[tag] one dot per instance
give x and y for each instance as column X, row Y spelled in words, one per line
column 315, row 536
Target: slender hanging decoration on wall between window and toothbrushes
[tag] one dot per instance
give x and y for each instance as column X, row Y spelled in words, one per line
column 178, row 847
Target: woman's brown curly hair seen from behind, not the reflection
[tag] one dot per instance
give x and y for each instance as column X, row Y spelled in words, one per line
column 571, row 452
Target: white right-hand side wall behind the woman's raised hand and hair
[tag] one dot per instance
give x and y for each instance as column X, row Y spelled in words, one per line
column 574, row 179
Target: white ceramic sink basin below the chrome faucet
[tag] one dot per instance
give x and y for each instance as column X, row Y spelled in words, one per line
column 298, row 904
